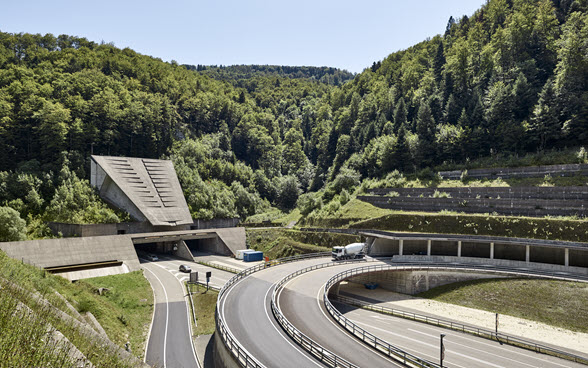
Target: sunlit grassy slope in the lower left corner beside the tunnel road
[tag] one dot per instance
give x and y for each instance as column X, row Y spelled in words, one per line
column 130, row 291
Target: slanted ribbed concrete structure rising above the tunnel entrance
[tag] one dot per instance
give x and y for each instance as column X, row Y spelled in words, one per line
column 147, row 189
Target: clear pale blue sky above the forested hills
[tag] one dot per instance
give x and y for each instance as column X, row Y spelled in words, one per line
column 341, row 33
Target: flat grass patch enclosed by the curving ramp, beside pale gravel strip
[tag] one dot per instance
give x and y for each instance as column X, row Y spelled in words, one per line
column 556, row 303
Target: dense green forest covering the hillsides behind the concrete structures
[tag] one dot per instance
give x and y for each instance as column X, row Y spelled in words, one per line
column 512, row 78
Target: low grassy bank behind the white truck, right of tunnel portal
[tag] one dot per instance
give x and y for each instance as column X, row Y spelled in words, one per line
column 279, row 243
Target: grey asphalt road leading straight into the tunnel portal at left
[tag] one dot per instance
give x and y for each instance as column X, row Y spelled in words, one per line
column 170, row 344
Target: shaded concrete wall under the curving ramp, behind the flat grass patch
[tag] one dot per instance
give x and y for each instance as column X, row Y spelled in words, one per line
column 414, row 282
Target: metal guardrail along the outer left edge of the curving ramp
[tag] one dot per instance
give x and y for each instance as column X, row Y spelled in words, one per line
column 239, row 352
